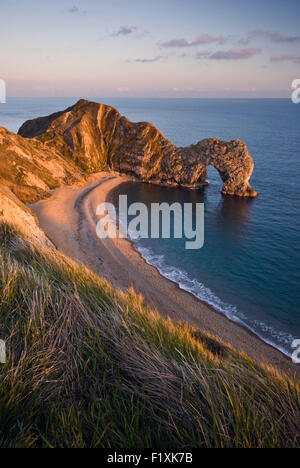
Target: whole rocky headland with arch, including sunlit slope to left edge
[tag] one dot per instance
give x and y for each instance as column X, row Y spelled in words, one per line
column 88, row 137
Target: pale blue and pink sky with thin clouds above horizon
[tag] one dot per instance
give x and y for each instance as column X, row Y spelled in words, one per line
column 143, row 48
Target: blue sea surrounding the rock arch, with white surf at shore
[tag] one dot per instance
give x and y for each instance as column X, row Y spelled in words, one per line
column 249, row 267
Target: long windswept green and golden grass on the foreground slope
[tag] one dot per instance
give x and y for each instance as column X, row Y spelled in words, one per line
column 92, row 367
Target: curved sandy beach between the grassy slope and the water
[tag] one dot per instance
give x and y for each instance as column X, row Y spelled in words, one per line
column 69, row 220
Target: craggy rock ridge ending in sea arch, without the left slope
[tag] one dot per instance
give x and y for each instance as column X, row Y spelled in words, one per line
column 94, row 136
